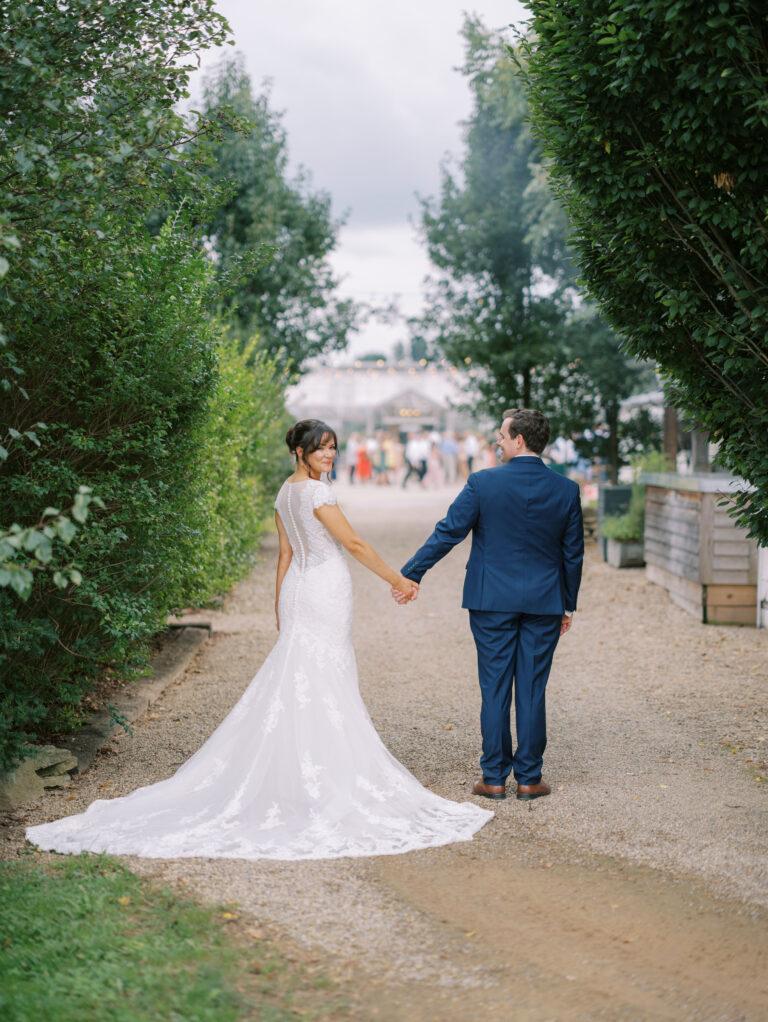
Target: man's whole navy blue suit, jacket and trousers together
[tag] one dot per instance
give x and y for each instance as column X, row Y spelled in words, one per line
column 523, row 575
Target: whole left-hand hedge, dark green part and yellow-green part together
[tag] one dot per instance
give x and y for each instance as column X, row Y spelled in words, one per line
column 149, row 403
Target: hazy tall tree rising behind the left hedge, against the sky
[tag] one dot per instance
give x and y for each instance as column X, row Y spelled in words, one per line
column 291, row 299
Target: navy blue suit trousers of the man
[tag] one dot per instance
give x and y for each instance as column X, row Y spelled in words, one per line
column 515, row 654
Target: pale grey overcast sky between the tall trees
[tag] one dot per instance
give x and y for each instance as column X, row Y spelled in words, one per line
column 372, row 102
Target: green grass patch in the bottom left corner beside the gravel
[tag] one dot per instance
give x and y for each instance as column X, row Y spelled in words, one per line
column 83, row 939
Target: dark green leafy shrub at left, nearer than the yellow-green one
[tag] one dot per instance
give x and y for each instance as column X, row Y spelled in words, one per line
column 123, row 386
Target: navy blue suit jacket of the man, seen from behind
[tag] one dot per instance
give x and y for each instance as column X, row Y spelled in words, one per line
column 528, row 539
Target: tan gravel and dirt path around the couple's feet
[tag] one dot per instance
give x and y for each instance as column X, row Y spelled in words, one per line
column 639, row 891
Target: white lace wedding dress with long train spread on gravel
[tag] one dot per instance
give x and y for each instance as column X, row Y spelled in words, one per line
column 297, row 769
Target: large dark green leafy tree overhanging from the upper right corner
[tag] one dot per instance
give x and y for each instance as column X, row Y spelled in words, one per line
column 655, row 119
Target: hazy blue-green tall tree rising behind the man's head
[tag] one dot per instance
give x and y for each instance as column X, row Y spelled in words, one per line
column 485, row 308
